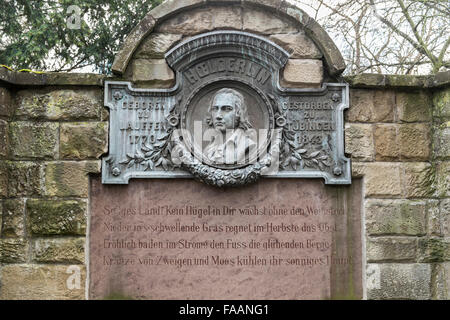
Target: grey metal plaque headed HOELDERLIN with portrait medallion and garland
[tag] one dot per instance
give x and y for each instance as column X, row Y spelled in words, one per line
column 227, row 121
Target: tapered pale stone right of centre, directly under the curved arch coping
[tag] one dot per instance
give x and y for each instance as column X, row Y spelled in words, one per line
column 265, row 22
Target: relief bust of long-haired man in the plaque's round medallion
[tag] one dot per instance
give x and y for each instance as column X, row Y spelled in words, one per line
column 231, row 133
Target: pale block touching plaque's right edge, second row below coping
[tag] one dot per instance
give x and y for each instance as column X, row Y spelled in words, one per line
column 359, row 141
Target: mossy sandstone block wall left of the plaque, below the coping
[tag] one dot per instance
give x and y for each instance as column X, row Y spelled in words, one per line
column 51, row 138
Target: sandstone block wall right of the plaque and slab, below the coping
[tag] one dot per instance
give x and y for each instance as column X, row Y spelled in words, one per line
column 398, row 140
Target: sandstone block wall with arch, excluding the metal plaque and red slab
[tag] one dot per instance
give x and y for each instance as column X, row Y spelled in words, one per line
column 54, row 130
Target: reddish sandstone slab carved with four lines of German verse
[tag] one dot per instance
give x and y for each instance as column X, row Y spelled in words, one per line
column 180, row 239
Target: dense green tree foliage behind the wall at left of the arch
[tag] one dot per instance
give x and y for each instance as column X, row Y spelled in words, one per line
column 35, row 34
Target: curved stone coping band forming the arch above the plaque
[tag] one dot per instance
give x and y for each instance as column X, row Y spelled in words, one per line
column 170, row 8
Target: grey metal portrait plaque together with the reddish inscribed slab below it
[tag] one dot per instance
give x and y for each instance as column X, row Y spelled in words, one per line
column 253, row 227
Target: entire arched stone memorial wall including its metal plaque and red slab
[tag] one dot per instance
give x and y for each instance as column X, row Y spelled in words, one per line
column 226, row 158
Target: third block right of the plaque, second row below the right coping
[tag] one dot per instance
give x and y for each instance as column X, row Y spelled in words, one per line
column 414, row 141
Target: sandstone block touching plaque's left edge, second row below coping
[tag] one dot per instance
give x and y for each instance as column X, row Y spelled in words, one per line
column 83, row 140
